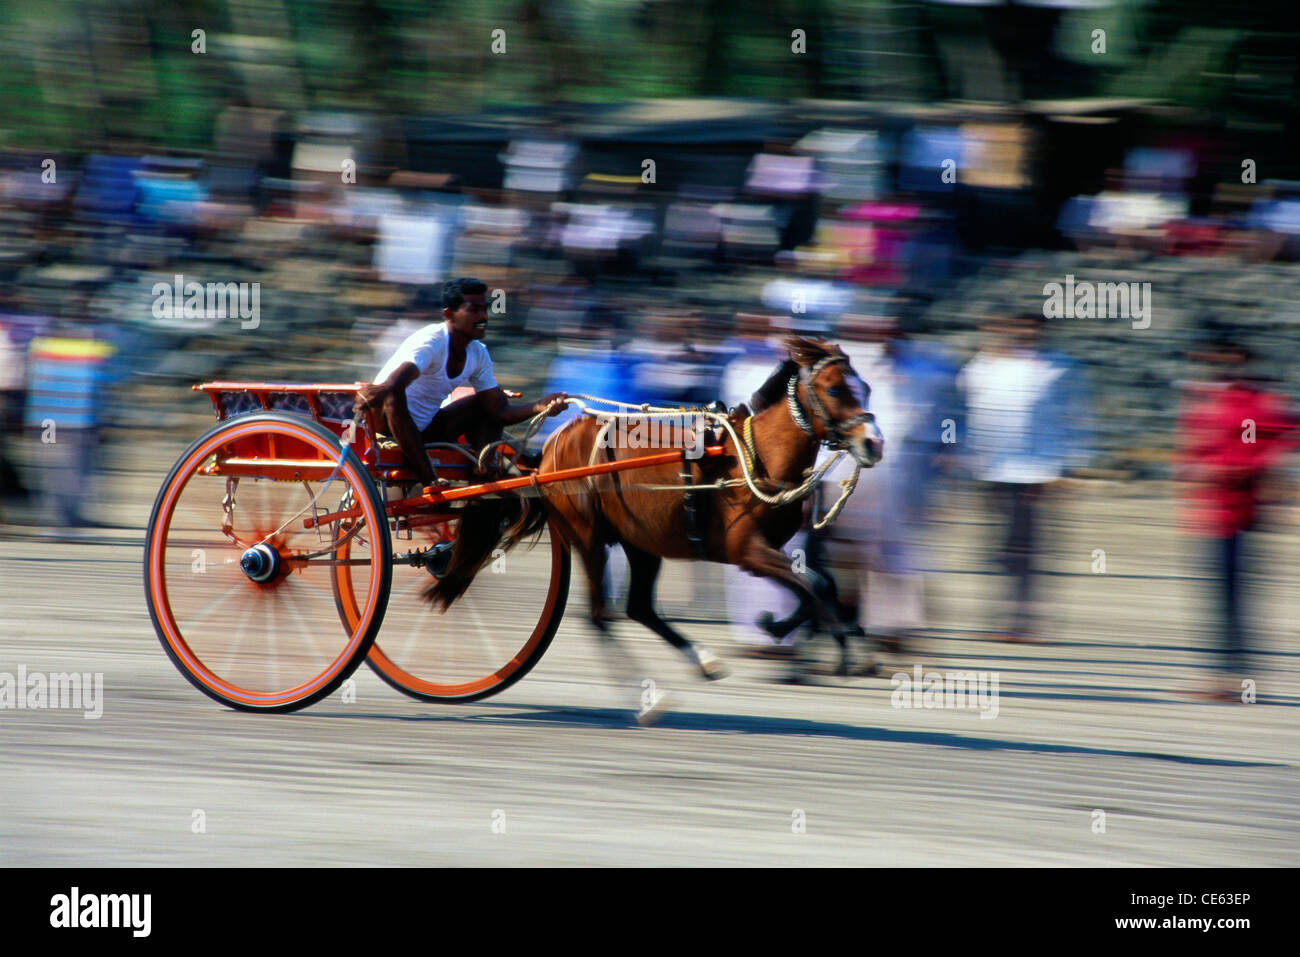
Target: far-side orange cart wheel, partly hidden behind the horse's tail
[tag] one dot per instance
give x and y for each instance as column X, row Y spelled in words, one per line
column 489, row 639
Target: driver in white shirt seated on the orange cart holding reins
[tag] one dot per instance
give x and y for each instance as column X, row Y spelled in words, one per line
column 409, row 393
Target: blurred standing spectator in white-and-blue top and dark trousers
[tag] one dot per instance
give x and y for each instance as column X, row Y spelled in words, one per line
column 1025, row 430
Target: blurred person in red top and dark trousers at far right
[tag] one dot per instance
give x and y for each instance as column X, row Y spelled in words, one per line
column 1233, row 434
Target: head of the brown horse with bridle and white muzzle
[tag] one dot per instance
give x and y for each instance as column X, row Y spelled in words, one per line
column 827, row 401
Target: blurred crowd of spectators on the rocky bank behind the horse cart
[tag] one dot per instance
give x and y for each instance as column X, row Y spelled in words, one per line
column 662, row 258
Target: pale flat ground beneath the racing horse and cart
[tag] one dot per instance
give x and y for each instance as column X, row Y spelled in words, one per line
column 552, row 772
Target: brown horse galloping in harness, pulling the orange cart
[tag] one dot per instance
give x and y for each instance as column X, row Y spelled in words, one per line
column 734, row 526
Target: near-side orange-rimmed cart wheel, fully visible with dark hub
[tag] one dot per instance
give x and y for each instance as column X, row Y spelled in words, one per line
column 239, row 590
